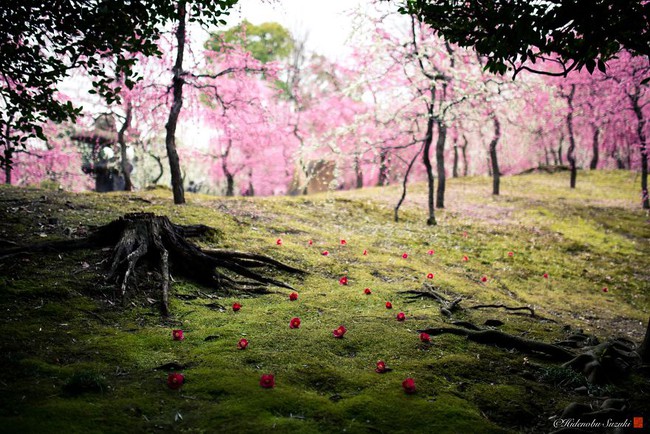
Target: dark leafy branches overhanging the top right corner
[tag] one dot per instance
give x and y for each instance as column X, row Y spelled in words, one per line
column 515, row 34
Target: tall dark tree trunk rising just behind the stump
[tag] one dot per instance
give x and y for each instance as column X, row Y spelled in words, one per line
column 177, row 86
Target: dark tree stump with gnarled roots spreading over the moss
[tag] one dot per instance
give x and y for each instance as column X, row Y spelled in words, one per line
column 144, row 237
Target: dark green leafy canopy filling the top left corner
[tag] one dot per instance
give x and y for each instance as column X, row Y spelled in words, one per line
column 41, row 43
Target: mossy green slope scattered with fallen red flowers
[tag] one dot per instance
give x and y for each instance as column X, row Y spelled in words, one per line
column 57, row 322
